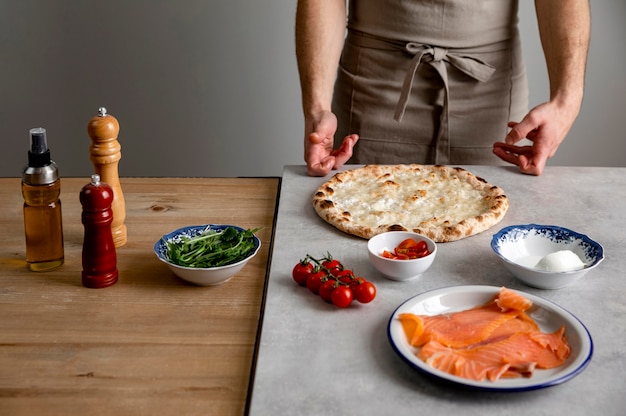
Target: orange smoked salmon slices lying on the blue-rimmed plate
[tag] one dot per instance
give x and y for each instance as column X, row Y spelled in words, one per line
column 491, row 341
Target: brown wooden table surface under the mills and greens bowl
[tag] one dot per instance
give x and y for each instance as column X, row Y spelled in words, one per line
column 151, row 344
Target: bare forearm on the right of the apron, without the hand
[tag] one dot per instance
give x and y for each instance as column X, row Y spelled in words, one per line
column 564, row 27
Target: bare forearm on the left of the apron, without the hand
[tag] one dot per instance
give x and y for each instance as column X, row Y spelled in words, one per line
column 320, row 32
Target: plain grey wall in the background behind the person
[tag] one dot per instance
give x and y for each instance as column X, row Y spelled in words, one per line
column 210, row 87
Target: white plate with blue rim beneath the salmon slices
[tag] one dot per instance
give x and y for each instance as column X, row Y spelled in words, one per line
column 548, row 315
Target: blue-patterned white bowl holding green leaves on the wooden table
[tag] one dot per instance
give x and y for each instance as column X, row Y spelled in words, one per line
column 202, row 276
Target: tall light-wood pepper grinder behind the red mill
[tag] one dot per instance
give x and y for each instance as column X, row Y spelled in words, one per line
column 105, row 151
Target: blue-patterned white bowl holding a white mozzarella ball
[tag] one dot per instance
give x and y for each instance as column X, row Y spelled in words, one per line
column 520, row 247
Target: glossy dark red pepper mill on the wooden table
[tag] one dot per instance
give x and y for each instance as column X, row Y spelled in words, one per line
column 99, row 257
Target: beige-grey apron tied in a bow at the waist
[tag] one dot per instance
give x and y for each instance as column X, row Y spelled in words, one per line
column 430, row 82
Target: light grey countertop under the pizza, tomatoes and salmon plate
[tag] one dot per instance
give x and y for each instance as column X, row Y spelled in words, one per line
column 315, row 359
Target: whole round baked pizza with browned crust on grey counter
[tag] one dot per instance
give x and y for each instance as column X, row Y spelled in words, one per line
column 443, row 203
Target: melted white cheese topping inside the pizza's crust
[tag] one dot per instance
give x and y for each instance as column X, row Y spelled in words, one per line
column 410, row 201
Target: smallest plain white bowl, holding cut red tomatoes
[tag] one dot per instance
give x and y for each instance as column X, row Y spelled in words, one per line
column 400, row 270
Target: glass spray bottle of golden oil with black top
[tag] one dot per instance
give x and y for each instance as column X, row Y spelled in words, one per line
column 41, row 188
